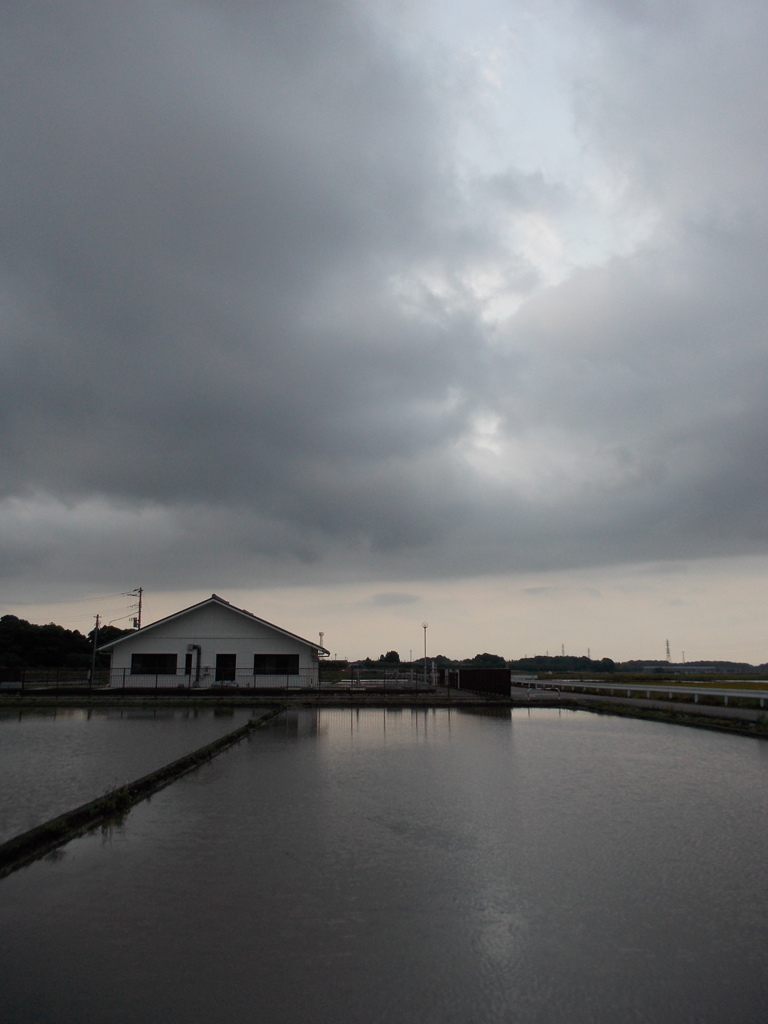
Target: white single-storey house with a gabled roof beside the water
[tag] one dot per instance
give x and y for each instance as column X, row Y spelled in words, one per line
column 214, row 643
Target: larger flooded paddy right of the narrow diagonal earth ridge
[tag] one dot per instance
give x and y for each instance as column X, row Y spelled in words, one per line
column 411, row 867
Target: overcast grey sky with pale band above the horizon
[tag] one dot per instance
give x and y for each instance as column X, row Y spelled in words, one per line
column 368, row 314
